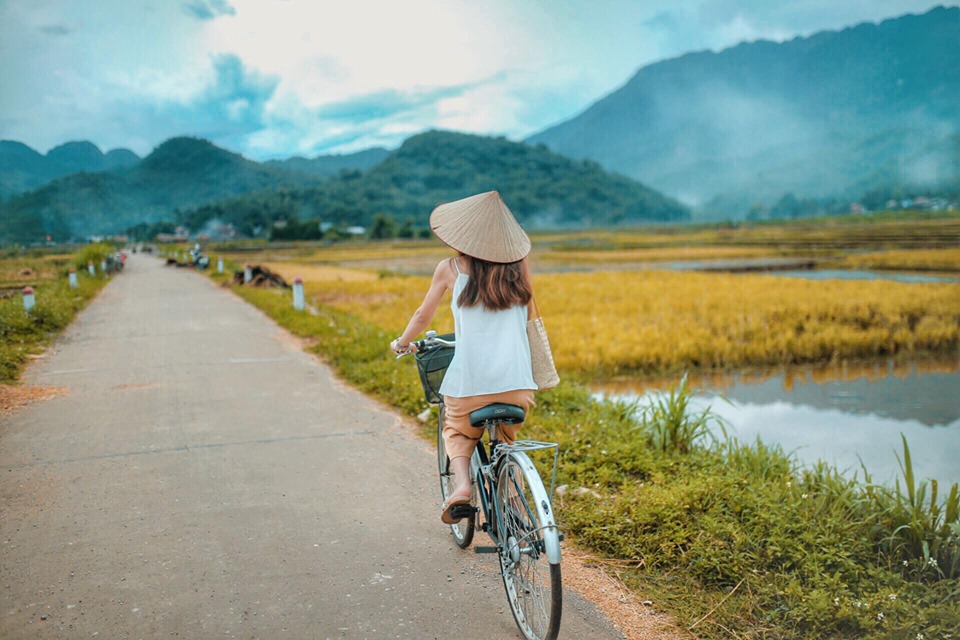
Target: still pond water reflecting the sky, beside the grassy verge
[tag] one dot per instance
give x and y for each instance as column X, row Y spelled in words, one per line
column 843, row 415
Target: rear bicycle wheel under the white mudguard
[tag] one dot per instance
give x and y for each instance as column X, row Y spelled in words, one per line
column 529, row 548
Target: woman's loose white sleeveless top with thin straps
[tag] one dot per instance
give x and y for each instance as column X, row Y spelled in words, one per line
column 493, row 353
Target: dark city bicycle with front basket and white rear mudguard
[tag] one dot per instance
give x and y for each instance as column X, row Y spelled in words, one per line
column 516, row 509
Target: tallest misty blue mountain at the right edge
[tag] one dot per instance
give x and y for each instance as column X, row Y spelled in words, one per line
column 837, row 113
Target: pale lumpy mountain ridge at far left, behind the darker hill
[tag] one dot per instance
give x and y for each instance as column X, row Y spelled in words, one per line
column 23, row 169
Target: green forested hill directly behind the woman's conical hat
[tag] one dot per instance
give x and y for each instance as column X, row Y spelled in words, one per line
column 543, row 189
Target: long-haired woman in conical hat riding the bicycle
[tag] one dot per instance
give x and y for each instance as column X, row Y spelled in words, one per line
column 491, row 286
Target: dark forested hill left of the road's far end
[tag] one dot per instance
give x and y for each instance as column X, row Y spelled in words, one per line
column 180, row 173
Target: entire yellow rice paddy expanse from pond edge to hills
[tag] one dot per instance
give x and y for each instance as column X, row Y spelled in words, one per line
column 614, row 307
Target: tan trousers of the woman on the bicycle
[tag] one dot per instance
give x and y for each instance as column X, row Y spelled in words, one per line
column 460, row 438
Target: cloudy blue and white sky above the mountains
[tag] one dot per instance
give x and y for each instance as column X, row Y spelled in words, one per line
column 278, row 78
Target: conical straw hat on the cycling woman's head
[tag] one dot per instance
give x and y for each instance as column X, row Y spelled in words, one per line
column 481, row 226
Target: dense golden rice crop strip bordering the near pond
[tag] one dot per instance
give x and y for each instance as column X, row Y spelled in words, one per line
column 657, row 322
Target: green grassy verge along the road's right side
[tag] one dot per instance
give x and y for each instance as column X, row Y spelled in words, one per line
column 736, row 540
